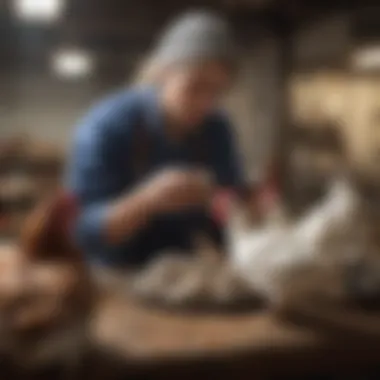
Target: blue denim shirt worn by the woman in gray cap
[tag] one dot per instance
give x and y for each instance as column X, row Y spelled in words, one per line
column 100, row 169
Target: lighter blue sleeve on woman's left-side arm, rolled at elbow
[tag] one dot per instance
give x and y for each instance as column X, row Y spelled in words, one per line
column 97, row 174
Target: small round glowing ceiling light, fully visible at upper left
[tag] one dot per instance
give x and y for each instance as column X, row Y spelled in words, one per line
column 72, row 64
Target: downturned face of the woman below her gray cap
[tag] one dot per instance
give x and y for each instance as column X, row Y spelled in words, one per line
column 190, row 93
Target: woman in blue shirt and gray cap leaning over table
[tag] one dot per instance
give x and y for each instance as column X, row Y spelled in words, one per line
column 141, row 157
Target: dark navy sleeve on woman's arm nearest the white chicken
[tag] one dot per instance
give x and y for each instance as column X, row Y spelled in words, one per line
column 227, row 161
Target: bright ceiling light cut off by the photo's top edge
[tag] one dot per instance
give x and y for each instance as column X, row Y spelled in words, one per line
column 38, row 10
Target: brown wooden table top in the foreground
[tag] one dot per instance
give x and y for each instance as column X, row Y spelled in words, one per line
column 158, row 343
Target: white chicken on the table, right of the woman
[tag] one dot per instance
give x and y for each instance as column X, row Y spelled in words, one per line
column 284, row 263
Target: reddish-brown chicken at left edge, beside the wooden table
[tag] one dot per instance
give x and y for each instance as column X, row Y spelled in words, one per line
column 45, row 292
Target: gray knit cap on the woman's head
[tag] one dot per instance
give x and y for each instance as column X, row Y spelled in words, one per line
column 196, row 36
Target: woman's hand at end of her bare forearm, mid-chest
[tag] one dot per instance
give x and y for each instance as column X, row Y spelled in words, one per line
column 176, row 189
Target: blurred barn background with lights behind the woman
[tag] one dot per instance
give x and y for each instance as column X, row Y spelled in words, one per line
column 307, row 94
